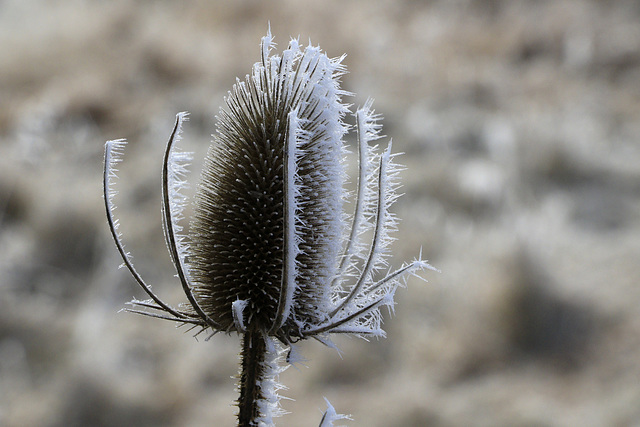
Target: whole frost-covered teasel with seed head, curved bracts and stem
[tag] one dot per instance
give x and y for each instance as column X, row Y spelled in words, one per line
column 270, row 253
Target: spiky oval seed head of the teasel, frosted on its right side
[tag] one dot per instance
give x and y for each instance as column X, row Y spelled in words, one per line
column 268, row 223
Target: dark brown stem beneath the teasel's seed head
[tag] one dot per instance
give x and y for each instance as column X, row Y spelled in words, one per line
column 252, row 376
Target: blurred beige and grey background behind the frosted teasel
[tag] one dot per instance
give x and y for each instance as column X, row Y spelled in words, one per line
column 520, row 124
